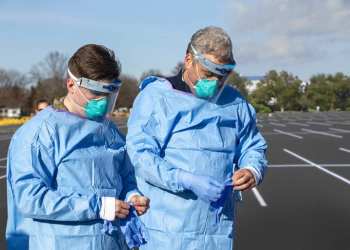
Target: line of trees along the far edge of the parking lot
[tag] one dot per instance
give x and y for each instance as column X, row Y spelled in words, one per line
column 277, row 91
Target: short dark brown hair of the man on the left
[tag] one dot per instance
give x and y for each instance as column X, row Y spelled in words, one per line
column 95, row 62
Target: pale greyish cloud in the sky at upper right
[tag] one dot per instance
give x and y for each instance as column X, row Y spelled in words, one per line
column 288, row 31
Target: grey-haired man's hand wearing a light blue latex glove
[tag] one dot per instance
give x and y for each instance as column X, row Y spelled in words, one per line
column 205, row 187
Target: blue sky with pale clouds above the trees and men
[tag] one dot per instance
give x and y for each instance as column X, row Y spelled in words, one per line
column 303, row 37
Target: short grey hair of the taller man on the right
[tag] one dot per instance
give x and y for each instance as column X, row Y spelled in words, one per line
column 214, row 41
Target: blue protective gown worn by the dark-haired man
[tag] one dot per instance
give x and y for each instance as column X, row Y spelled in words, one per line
column 59, row 167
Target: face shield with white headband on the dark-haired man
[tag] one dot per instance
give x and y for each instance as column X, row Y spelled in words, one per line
column 98, row 88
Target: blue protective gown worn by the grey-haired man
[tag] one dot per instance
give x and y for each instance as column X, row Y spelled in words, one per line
column 168, row 130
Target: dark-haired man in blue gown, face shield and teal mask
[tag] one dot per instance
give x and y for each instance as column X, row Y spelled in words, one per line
column 69, row 178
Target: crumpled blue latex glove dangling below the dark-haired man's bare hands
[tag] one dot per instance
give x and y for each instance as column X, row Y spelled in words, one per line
column 133, row 229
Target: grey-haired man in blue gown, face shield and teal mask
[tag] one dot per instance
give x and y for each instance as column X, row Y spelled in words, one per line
column 195, row 146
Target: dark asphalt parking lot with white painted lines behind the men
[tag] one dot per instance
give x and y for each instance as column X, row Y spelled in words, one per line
column 303, row 203
